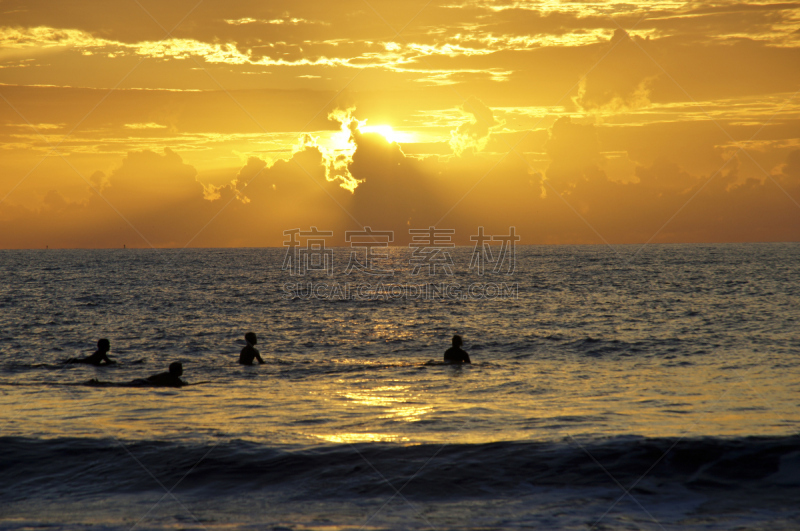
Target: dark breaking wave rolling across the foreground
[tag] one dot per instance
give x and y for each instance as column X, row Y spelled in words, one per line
column 85, row 467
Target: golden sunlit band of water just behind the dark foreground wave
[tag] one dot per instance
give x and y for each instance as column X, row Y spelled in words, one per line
column 556, row 399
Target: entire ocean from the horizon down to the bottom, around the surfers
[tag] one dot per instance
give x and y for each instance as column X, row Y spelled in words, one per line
column 631, row 387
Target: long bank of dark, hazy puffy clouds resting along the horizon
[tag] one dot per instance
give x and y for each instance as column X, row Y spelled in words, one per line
column 398, row 192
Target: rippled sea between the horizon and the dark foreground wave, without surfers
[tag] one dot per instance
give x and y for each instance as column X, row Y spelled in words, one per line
column 668, row 343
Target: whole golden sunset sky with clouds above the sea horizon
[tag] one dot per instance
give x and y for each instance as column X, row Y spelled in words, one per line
column 205, row 123
